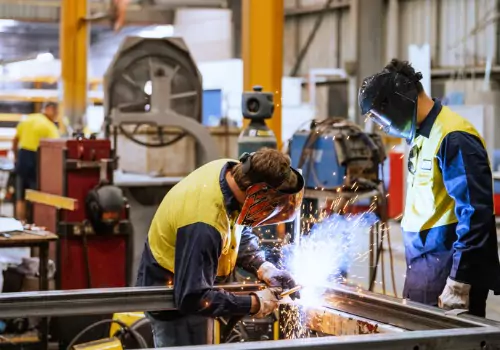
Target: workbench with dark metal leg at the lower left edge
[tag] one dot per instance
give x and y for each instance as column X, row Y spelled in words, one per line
column 41, row 241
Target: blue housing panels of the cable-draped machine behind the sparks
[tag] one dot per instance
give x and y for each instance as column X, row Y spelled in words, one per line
column 325, row 172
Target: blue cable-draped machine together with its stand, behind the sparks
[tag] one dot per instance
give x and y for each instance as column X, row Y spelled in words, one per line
column 342, row 167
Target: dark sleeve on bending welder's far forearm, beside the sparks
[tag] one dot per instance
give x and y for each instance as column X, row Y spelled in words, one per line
column 250, row 257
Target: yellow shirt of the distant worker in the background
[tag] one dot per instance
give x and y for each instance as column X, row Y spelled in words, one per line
column 34, row 128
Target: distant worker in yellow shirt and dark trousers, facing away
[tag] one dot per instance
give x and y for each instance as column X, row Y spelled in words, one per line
column 29, row 132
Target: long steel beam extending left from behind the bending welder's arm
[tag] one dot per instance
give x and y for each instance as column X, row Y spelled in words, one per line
column 95, row 301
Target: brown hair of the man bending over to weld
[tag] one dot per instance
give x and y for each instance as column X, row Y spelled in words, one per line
column 269, row 166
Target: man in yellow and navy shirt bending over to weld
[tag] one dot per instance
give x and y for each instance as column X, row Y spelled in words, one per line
column 202, row 229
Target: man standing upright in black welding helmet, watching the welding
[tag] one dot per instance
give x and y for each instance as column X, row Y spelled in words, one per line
column 449, row 221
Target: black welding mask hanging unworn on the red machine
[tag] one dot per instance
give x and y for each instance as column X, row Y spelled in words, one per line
column 104, row 206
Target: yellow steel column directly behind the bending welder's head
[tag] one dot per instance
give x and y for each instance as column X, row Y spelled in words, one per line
column 262, row 49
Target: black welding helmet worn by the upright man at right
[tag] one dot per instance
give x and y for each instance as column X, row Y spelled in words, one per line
column 390, row 100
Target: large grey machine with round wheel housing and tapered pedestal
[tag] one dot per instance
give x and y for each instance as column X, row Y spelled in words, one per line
column 150, row 87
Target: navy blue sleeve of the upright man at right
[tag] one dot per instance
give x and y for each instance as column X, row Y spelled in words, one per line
column 468, row 180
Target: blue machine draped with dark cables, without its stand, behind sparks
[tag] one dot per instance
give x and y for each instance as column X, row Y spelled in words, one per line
column 336, row 153
